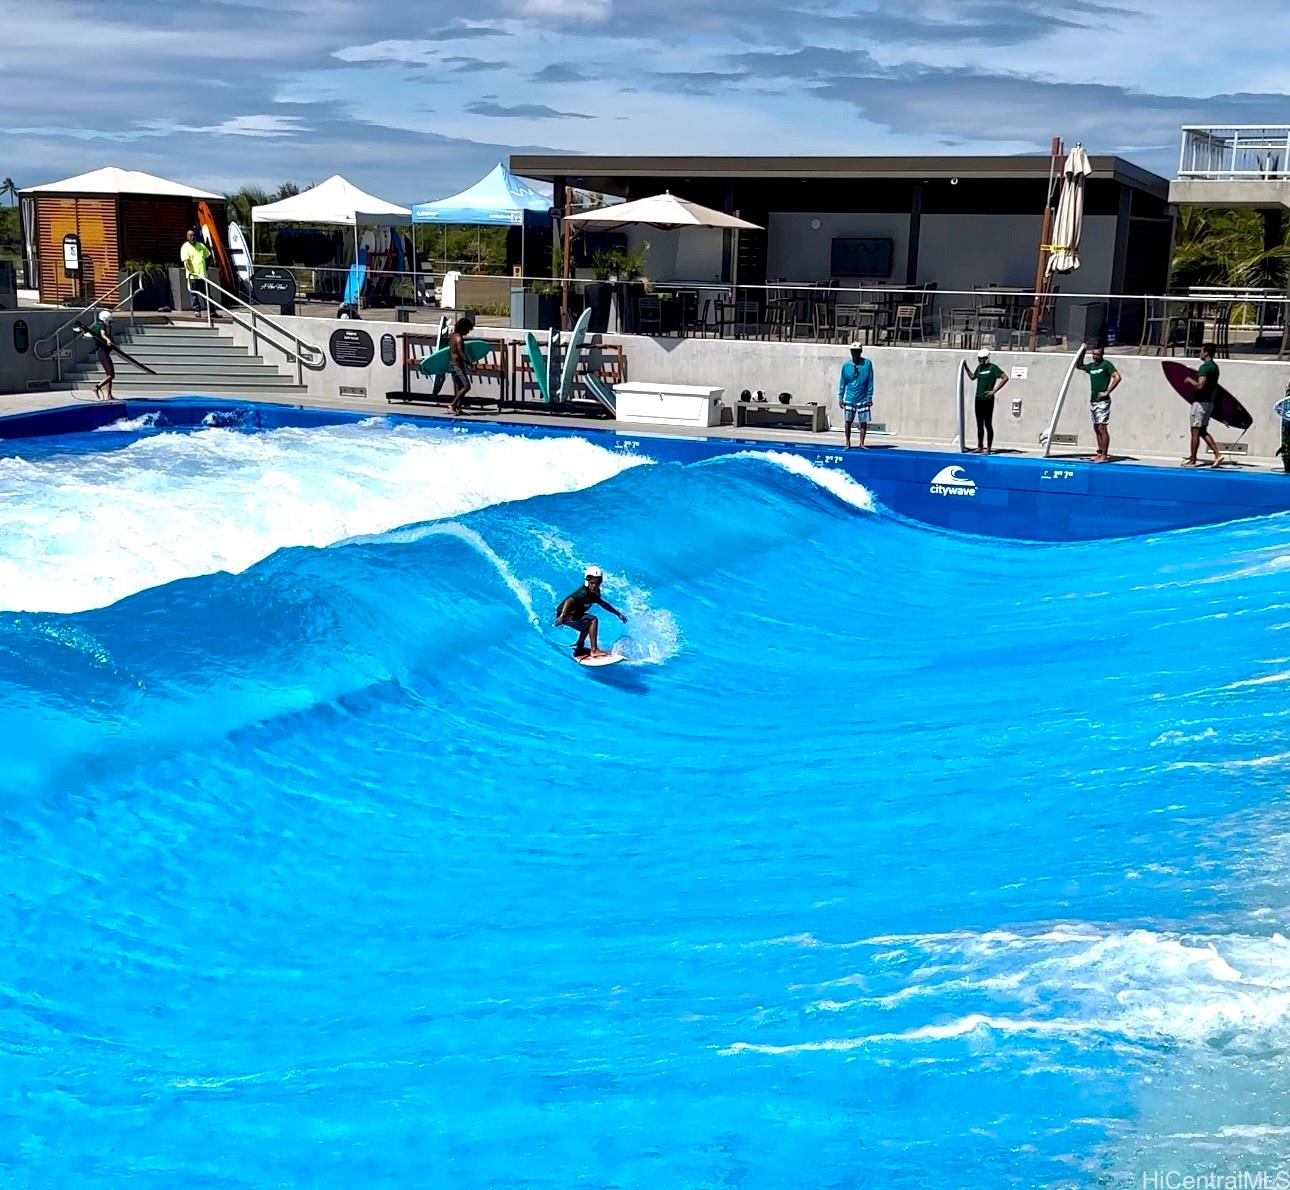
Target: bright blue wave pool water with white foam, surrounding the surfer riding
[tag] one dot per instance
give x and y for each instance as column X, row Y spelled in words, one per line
column 893, row 856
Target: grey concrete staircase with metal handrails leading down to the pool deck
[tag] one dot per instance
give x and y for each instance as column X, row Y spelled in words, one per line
column 188, row 358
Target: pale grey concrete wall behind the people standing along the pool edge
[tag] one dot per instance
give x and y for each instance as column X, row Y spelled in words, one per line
column 915, row 388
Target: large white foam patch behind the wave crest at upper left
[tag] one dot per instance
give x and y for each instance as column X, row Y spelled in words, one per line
column 86, row 531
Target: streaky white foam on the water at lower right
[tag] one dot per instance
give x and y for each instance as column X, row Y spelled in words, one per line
column 1136, row 985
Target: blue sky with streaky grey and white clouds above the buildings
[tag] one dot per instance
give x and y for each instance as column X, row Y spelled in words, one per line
column 417, row 101
